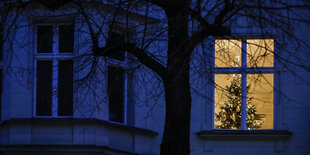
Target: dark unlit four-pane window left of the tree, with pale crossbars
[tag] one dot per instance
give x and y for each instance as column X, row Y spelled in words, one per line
column 54, row 70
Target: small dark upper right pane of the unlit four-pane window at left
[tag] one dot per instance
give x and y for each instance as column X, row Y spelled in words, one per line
column 66, row 38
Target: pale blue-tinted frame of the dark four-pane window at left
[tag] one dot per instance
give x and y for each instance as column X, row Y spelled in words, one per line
column 55, row 56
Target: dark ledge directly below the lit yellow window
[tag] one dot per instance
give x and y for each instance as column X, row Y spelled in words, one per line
column 263, row 135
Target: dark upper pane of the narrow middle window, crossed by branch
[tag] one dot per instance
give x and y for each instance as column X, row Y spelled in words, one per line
column 116, row 39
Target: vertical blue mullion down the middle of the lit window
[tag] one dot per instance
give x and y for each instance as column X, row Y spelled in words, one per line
column 243, row 86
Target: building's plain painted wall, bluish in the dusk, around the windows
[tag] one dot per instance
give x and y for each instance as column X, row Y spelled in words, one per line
column 17, row 102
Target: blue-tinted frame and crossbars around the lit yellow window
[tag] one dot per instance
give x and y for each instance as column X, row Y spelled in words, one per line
column 243, row 70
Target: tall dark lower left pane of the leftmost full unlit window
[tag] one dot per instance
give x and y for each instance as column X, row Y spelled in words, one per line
column 44, row 88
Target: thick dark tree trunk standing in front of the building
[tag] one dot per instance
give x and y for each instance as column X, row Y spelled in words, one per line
column 176, row 137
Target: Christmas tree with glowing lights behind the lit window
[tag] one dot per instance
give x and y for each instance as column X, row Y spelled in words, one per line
column 229, row 116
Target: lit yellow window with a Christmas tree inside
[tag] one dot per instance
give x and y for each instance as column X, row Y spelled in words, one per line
column 243, row 94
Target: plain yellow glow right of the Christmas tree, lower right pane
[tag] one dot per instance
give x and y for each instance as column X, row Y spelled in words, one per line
column 261, row 90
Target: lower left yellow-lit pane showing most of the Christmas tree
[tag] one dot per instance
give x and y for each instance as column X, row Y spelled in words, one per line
column 227, row 99
